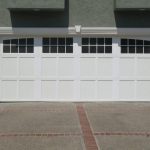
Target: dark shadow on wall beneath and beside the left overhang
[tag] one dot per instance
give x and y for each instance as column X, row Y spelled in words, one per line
column 42, row 18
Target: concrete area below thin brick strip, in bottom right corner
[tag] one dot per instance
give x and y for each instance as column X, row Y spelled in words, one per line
column 123, row 142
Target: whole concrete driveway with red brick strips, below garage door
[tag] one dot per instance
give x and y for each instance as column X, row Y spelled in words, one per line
column 75, row 126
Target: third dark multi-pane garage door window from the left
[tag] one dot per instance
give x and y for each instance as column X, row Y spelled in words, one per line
column 96, row 45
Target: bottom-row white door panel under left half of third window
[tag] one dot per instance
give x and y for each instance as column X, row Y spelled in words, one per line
column 87, row 90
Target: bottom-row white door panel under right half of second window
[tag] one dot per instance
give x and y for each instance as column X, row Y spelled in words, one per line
column 66, row 89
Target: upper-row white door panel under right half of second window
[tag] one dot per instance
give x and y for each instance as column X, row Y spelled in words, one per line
column 66, row 67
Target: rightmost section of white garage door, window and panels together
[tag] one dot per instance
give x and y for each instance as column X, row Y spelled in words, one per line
column 134, row 69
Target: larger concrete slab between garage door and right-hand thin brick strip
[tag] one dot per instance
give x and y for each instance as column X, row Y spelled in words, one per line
column 119, row 117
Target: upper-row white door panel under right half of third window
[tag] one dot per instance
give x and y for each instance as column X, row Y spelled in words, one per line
column 104, row 67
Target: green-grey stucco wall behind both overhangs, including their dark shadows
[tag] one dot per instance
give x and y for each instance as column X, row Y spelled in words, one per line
column 88, row 13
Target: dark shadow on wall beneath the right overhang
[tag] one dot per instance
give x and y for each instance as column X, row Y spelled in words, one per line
column 132, row 19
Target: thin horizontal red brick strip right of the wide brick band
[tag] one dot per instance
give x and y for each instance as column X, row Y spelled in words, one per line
column 147, row 134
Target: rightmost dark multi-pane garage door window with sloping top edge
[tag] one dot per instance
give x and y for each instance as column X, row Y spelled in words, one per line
column 135, row 46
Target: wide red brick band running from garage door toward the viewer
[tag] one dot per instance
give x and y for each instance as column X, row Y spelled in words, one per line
column 88, row 136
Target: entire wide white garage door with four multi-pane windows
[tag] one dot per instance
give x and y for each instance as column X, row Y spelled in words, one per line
column 74, row 69
